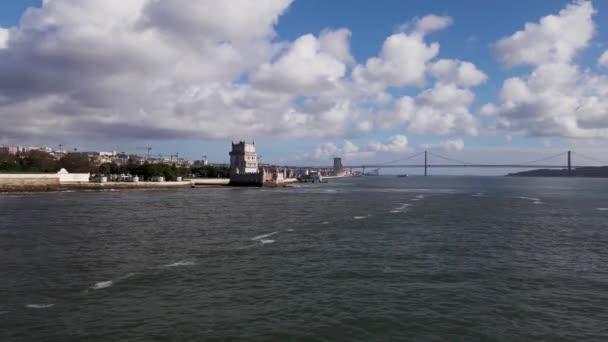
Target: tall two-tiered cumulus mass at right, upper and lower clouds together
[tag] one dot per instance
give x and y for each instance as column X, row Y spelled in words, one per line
column 556, row 98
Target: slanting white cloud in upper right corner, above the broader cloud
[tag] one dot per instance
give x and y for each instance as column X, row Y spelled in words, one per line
column 555, row 39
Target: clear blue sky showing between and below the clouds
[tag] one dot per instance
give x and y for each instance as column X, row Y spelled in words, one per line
column 476, row 27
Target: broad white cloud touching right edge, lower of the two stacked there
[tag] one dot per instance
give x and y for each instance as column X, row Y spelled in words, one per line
column 556, row 100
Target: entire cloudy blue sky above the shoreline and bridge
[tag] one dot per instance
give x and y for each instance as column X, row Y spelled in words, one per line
column 307, row 79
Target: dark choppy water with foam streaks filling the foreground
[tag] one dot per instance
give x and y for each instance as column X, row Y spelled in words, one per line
column 367, row 259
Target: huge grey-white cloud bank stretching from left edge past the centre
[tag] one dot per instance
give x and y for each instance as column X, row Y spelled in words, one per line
column 149, row 69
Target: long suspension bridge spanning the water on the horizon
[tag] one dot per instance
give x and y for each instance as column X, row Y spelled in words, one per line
column 446, row 162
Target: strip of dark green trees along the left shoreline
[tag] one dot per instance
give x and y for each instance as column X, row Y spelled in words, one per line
column 40, row 161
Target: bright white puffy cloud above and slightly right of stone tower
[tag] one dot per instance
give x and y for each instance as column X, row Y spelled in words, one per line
column 305, row 69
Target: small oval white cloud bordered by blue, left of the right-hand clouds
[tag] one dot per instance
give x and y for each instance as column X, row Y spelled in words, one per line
column 461, row 73
